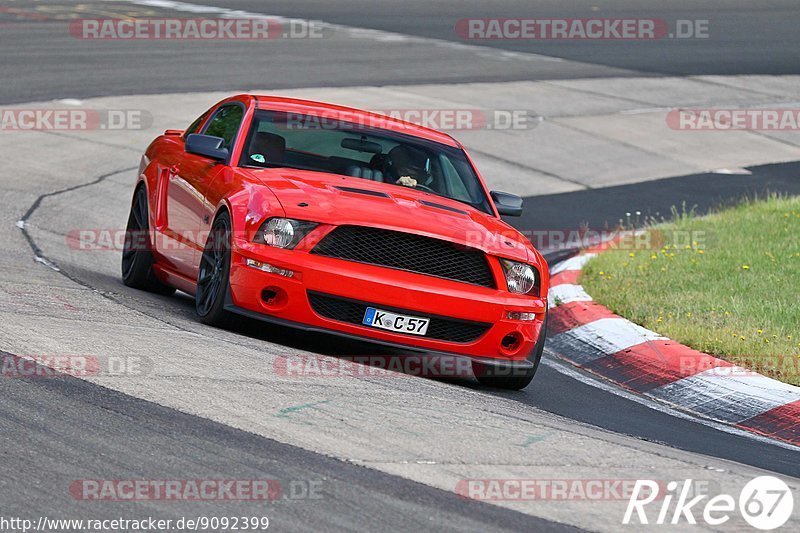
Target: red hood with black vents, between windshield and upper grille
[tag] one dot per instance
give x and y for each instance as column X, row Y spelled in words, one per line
column 336, row 199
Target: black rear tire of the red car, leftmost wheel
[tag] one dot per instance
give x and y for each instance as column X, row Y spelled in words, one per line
column 137, row 258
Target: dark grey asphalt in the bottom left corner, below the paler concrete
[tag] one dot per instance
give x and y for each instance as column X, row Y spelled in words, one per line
column 63, row 427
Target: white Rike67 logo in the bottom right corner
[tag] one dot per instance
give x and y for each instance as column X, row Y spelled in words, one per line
column 765, row 503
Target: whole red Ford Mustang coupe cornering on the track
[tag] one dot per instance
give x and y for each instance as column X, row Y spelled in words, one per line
column 332, row 219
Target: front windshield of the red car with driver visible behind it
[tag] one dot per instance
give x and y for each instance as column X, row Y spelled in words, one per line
column 279, row 139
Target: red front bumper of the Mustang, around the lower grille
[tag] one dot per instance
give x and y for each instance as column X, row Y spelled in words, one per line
column 283, row 299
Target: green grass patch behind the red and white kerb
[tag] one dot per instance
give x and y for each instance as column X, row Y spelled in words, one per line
column 727, row 284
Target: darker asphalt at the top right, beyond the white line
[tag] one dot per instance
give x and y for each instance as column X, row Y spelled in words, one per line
column 738, row 41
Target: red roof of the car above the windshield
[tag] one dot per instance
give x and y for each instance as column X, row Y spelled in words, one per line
column 349, row 114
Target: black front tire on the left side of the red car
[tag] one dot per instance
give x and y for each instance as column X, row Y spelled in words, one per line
column 213, row 279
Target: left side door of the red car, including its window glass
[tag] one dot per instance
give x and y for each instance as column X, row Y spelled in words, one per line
column 188, row 180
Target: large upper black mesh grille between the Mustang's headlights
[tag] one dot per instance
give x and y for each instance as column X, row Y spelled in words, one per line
column 406, row 251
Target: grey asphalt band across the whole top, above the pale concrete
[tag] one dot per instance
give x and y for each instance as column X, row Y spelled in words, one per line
column 37, row 48
